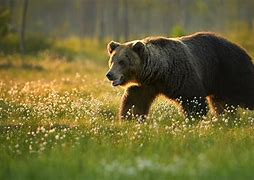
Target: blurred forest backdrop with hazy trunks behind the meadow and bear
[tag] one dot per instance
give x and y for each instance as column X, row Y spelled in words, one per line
column 29, row 26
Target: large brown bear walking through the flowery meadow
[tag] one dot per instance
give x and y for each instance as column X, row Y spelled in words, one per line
column 193, row 70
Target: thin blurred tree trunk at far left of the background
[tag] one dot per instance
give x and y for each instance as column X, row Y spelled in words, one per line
column 23, row 27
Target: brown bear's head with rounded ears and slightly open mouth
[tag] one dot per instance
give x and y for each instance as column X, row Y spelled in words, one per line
column 125, row 62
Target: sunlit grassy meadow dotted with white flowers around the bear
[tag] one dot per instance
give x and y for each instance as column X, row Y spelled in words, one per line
column 58, row 120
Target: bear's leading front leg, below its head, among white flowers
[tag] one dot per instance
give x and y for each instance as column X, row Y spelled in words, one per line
column 136, row 101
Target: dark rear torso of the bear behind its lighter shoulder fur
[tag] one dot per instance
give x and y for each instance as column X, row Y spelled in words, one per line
column 229, row 64
